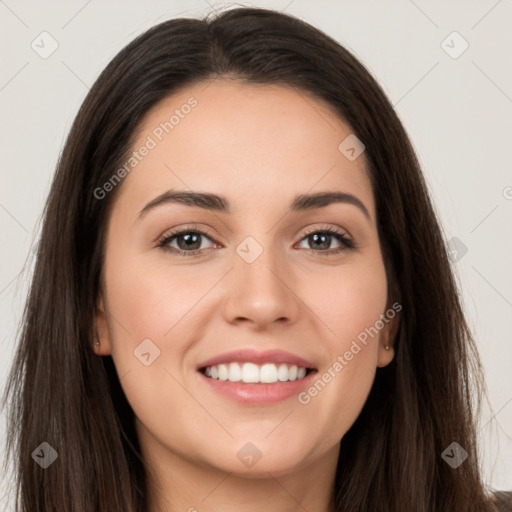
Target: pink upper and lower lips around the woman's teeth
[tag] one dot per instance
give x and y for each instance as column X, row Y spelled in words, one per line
column 257, row 394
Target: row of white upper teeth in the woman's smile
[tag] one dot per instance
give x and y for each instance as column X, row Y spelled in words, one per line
column 267, row 373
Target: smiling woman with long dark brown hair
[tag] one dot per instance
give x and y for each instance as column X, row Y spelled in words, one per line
column 242, row 299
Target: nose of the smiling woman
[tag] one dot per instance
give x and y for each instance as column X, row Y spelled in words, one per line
column 260, row 293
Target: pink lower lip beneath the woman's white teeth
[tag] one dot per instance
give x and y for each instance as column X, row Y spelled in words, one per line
column 258, row 393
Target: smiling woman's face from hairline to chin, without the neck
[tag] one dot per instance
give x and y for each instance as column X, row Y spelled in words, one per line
column 263, row 297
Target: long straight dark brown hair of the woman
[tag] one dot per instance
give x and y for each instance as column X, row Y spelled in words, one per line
column 61, row 393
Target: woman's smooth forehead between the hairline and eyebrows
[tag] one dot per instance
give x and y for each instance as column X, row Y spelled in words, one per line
column 253, row 143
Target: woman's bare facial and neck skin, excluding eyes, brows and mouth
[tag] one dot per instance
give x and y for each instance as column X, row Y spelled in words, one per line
column 259, row 146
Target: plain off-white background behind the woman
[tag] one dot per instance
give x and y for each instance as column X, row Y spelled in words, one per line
column 457, row 112
